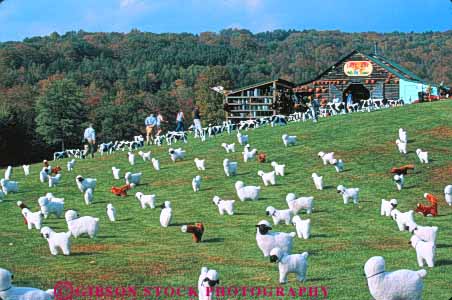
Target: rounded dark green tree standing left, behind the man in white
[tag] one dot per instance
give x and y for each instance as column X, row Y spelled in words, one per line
column 60, row 113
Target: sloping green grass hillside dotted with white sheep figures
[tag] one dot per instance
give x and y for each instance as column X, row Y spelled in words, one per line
column 137, row 251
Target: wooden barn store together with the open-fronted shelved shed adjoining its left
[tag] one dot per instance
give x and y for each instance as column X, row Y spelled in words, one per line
column 363, row 75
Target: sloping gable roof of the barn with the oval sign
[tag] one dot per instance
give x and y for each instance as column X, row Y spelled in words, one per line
column 383, row 62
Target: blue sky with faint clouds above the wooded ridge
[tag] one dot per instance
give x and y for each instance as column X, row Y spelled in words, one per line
column 20, row 19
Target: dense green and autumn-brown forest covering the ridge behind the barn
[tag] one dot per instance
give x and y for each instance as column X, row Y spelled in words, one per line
column 114, row 80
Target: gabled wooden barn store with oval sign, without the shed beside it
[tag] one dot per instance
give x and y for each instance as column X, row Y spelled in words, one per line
column 366, row 76
